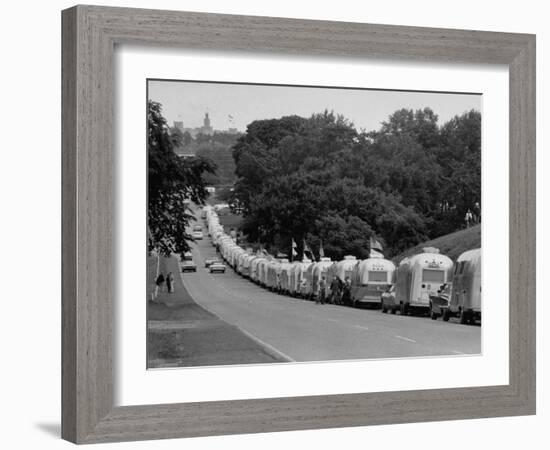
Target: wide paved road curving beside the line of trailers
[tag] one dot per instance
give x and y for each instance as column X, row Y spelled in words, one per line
column 300, row 330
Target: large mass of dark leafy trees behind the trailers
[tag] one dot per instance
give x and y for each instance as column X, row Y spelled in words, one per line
column 320, row 179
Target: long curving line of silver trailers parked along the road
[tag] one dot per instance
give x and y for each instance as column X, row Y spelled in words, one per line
column 426, row 283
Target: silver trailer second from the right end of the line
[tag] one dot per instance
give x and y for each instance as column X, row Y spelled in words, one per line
column 420, row 276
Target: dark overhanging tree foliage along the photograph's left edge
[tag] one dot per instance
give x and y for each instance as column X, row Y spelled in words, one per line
column 172, row 182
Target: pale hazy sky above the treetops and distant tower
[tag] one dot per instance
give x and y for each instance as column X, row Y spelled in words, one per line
column 188, row 101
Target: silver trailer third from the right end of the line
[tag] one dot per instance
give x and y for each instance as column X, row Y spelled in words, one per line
column 370, row 279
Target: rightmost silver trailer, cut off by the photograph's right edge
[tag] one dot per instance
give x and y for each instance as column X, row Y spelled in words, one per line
column 465, row 300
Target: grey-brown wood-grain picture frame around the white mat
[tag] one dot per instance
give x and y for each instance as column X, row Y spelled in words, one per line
column 90, row 34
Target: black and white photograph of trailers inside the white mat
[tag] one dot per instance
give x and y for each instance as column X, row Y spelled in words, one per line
column 307, row 223
